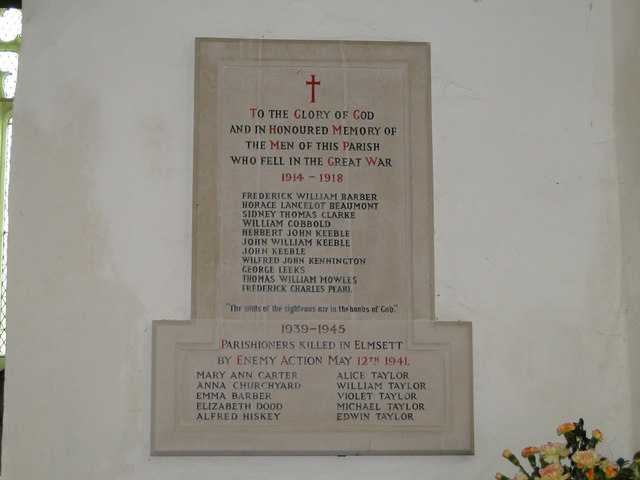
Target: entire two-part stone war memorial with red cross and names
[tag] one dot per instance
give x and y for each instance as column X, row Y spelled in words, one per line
column 313, row 328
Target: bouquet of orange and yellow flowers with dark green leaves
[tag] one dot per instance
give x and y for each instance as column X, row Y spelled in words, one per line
column 576, row 459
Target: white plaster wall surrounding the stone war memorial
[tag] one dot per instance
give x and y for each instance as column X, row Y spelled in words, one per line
column 527, row 219
